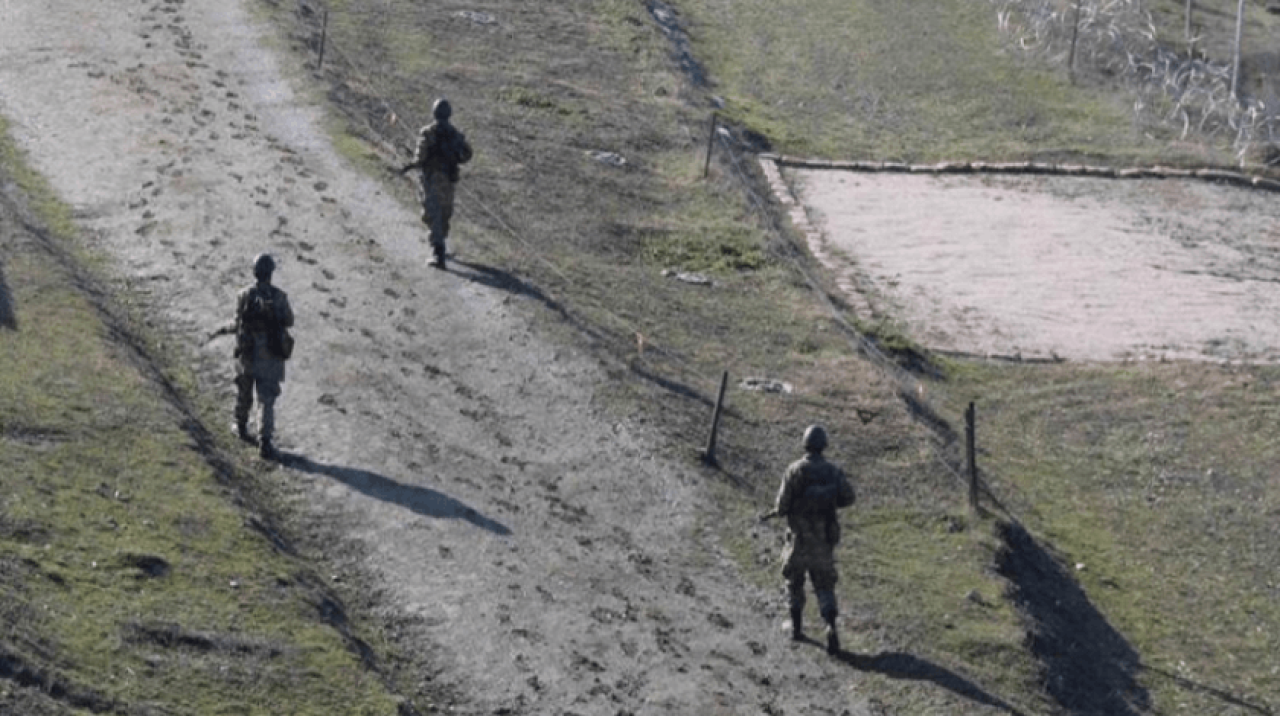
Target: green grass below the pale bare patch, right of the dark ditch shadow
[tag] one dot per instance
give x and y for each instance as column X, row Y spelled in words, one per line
column 1158, row 481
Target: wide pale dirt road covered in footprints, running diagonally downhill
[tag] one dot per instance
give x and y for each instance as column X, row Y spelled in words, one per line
column 525, row 542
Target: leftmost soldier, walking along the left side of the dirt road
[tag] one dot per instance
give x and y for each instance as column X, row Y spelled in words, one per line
column 263, row 344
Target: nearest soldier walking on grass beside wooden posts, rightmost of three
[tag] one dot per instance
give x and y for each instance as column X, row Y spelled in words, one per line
column 811, row 494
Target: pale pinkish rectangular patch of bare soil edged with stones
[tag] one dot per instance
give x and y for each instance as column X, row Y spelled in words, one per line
column 1058, row 267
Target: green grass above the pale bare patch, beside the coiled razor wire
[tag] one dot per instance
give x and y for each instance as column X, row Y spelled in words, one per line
column 902, row 81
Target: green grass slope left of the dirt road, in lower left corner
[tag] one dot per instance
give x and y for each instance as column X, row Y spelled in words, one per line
column 100, row 482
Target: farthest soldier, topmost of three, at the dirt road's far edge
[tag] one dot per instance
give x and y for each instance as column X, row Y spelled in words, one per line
column 441, row 151
